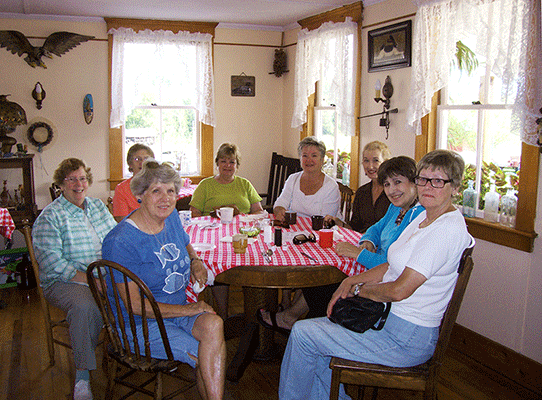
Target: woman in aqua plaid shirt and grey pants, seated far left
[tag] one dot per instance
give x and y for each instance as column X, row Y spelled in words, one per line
column 67, row 236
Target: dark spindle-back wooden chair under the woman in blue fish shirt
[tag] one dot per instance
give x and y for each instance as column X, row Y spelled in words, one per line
column 129, row 352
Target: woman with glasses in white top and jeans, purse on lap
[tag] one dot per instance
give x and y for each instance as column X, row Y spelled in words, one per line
column 418, row 279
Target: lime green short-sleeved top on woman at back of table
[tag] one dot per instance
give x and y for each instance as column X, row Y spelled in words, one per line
column 210, row 194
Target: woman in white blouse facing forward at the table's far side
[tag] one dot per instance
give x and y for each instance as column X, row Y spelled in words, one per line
column 309, row 192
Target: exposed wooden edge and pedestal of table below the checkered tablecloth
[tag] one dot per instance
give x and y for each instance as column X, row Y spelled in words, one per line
column 260, row 290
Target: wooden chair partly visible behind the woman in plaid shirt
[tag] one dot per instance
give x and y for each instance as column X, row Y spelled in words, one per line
column 51, row 325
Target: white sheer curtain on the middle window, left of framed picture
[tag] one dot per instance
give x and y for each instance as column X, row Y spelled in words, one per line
column 326, row 51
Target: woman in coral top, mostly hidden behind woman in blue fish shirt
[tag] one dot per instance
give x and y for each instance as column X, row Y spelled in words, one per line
column 124, row 201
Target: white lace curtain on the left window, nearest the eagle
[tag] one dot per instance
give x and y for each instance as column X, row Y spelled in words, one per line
column 195, row 51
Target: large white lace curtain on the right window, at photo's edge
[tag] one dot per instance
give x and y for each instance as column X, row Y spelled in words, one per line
column 508, row 36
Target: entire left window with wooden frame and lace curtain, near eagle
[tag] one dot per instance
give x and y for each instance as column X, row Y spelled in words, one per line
column 162, row 93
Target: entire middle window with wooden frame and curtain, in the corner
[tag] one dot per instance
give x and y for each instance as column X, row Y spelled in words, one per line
column 327, row 87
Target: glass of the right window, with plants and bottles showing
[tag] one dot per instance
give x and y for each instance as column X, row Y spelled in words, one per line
column 474, row 121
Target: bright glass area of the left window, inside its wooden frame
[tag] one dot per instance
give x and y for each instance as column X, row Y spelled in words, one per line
column 163, row 117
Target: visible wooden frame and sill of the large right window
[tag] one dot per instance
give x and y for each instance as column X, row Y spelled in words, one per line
column 522, row 237
